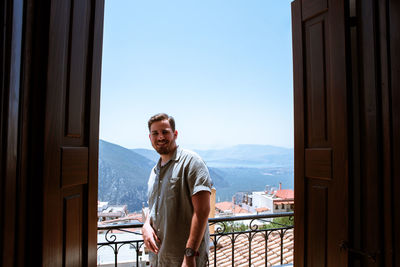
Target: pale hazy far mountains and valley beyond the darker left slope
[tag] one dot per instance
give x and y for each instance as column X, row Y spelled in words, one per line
column 244, row 167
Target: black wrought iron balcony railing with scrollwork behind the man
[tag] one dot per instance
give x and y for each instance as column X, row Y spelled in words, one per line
column 252, row 239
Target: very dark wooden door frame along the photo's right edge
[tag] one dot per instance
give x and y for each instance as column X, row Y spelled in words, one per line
column 376, row 108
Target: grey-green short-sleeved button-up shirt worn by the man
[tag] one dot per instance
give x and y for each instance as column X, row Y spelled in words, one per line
column 170, row 189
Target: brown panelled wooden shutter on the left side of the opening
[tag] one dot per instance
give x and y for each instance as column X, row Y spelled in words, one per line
column 71, row 128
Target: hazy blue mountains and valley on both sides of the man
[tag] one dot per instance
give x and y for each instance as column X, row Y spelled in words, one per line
column 123, row 173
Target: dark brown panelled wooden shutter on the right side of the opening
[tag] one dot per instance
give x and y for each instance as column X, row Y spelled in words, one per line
column 321, row 135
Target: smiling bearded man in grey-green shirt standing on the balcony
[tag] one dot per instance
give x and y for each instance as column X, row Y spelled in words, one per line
column 176, row 228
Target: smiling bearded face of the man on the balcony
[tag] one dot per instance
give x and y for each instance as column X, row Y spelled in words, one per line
column 162, row 137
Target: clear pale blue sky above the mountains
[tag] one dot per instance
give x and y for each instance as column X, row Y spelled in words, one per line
column 222, row 68
